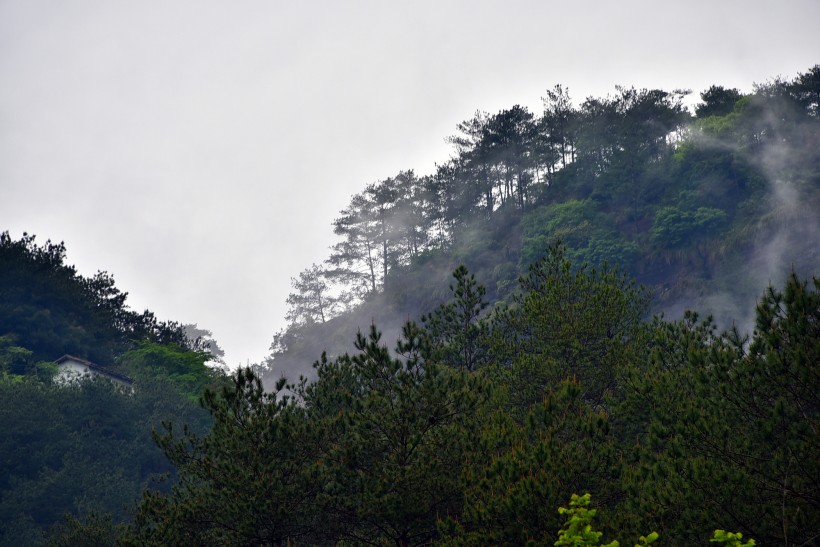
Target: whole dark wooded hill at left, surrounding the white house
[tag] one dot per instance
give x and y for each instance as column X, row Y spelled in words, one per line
column 86, row 447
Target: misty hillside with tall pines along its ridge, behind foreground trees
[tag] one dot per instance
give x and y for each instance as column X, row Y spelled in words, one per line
column 705, row 208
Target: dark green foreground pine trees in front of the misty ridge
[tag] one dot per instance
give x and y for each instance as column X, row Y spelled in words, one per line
column 475, row 432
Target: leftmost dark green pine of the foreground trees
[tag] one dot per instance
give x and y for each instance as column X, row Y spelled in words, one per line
column 244, row 482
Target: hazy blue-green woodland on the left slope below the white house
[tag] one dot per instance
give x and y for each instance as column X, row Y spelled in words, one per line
column 79, row 449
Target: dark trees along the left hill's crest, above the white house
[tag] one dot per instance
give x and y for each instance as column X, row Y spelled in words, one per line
column 52, row 310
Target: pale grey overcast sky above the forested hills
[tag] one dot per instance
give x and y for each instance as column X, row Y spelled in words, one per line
column 199, row 150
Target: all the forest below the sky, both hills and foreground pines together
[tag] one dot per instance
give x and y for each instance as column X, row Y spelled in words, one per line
column 521, row 281
